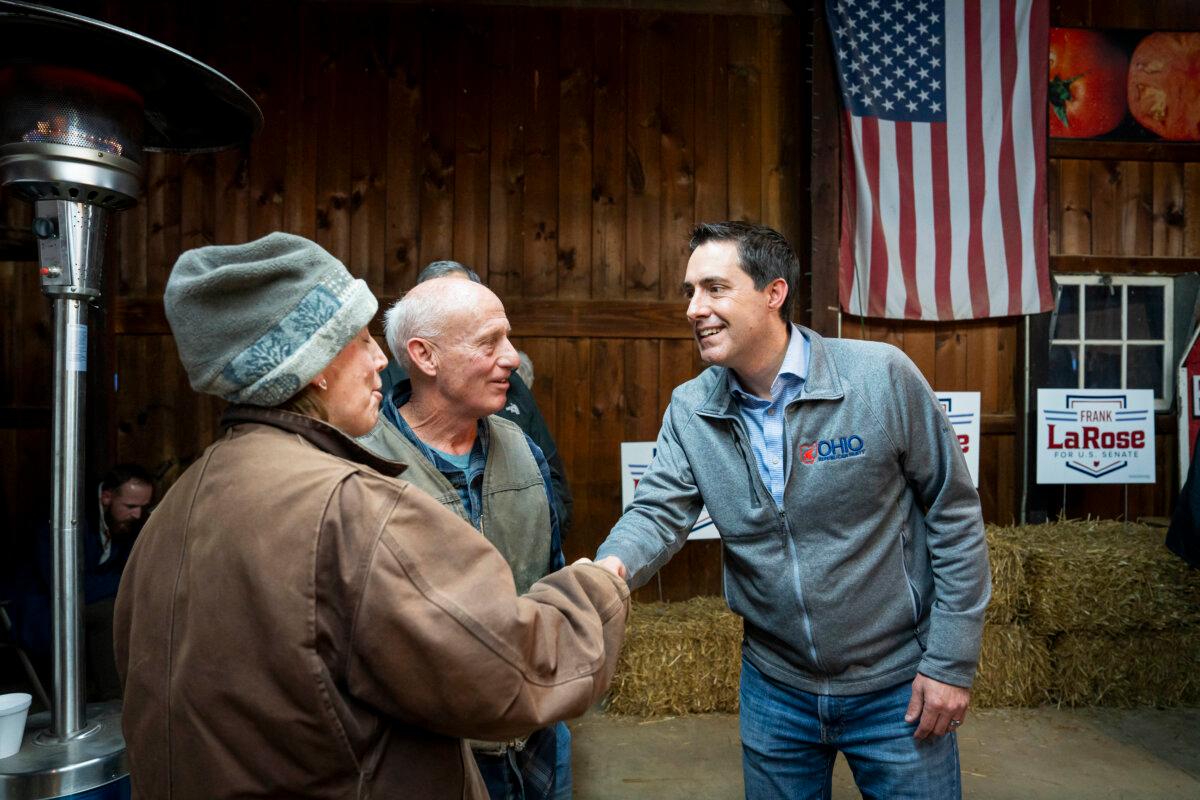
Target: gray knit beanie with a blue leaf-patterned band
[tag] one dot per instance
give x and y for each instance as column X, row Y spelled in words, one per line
column 255, row 323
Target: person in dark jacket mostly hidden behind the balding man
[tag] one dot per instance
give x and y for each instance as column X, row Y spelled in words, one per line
column 519, row 406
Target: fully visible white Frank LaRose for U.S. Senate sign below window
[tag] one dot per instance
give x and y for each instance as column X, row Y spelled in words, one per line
column 1096, row 436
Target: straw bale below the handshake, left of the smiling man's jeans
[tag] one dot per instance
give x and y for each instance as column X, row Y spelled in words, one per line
column 682, row 658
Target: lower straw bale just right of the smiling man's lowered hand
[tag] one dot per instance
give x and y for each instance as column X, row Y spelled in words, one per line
column 1015, row 669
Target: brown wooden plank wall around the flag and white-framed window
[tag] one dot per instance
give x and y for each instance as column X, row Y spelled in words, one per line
column 1102, row 209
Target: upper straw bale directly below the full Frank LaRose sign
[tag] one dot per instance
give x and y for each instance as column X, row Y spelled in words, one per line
column 1107, row 578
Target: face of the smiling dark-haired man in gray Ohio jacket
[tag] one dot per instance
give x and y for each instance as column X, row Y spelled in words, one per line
column 728, row 315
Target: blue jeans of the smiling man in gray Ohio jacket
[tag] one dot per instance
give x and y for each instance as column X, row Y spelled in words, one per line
column 791, row 738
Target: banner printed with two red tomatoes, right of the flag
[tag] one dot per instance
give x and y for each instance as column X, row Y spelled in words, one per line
column 1124, row 86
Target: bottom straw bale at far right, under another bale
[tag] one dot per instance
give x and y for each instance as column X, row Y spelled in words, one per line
column 1153, row 669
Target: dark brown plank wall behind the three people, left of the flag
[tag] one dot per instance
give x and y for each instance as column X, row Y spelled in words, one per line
column 563, row 154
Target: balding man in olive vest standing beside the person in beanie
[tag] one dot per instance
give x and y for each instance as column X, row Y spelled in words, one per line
column 451, row 336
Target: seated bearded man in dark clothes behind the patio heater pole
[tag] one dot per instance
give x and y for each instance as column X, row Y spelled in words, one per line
column 107, row 537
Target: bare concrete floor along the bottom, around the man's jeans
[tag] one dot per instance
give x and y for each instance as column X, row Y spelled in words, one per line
column 1040, row 754
